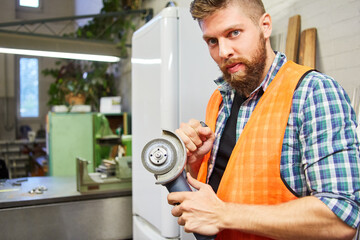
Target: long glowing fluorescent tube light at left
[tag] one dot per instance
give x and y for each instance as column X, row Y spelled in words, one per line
column 79, row 56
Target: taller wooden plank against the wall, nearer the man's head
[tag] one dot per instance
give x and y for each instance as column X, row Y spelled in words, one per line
column 292, row 38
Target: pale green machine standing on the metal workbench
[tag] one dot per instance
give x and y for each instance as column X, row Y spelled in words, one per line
column 92, row 148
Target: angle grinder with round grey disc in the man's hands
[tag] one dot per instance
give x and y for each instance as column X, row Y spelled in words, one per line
column 165, row 157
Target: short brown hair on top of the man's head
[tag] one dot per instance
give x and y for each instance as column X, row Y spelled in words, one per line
column 201, row 9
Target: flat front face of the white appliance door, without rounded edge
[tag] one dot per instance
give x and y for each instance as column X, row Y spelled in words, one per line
column 146, row 64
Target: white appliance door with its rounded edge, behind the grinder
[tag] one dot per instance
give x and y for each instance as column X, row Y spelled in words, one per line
column 155, row 107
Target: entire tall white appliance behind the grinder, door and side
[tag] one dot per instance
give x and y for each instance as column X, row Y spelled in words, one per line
column 172, row 80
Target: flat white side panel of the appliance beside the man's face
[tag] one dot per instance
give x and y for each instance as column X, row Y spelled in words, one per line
column 197, row 69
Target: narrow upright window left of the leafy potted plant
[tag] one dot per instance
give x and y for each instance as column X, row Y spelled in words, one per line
column 29, row 87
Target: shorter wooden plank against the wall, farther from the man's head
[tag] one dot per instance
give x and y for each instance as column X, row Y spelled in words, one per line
column 307, row 52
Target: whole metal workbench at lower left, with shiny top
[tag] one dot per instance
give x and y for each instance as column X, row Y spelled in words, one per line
column 60, row 212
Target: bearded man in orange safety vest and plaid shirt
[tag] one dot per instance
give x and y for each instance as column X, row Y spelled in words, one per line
column 280, row 157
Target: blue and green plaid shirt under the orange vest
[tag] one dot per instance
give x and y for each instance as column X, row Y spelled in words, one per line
column 320, row 152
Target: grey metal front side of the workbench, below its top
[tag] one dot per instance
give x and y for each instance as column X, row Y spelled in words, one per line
column 107, row 218
